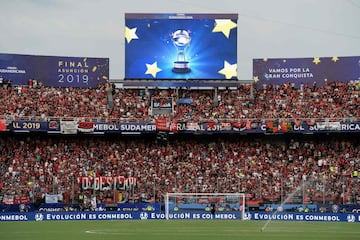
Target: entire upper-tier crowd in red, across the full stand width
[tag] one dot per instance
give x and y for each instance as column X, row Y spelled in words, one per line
column 334, row 100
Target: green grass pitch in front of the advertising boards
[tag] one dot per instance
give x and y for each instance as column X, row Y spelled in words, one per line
column 177, row 230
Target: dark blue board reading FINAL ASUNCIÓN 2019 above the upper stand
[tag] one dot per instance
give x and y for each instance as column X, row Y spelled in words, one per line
column 56, row 71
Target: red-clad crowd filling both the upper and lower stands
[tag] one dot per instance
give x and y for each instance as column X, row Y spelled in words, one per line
column 325, row 170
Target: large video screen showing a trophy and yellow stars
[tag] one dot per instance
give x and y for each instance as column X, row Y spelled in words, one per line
column 181, row 46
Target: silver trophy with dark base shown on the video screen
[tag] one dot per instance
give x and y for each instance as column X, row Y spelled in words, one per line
column 181, row 40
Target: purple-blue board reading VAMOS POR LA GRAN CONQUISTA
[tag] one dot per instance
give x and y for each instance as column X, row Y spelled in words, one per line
column 306, row 70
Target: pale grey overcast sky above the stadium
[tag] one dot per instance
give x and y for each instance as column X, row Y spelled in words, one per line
column 266, row 29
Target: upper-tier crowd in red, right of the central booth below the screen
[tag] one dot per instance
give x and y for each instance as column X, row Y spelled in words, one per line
column 334, row 100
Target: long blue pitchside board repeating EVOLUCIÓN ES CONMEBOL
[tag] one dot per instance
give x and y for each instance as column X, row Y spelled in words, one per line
column 181, row 215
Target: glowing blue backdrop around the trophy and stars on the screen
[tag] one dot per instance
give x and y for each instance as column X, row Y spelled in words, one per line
column 206, row 53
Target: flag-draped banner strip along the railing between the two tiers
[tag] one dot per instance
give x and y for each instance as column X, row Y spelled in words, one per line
column 245, row 126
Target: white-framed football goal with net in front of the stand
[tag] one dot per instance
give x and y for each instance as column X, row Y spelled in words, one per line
column 206, row 205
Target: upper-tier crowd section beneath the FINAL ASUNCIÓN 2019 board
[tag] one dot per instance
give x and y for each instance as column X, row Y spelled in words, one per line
column 36, row 101
